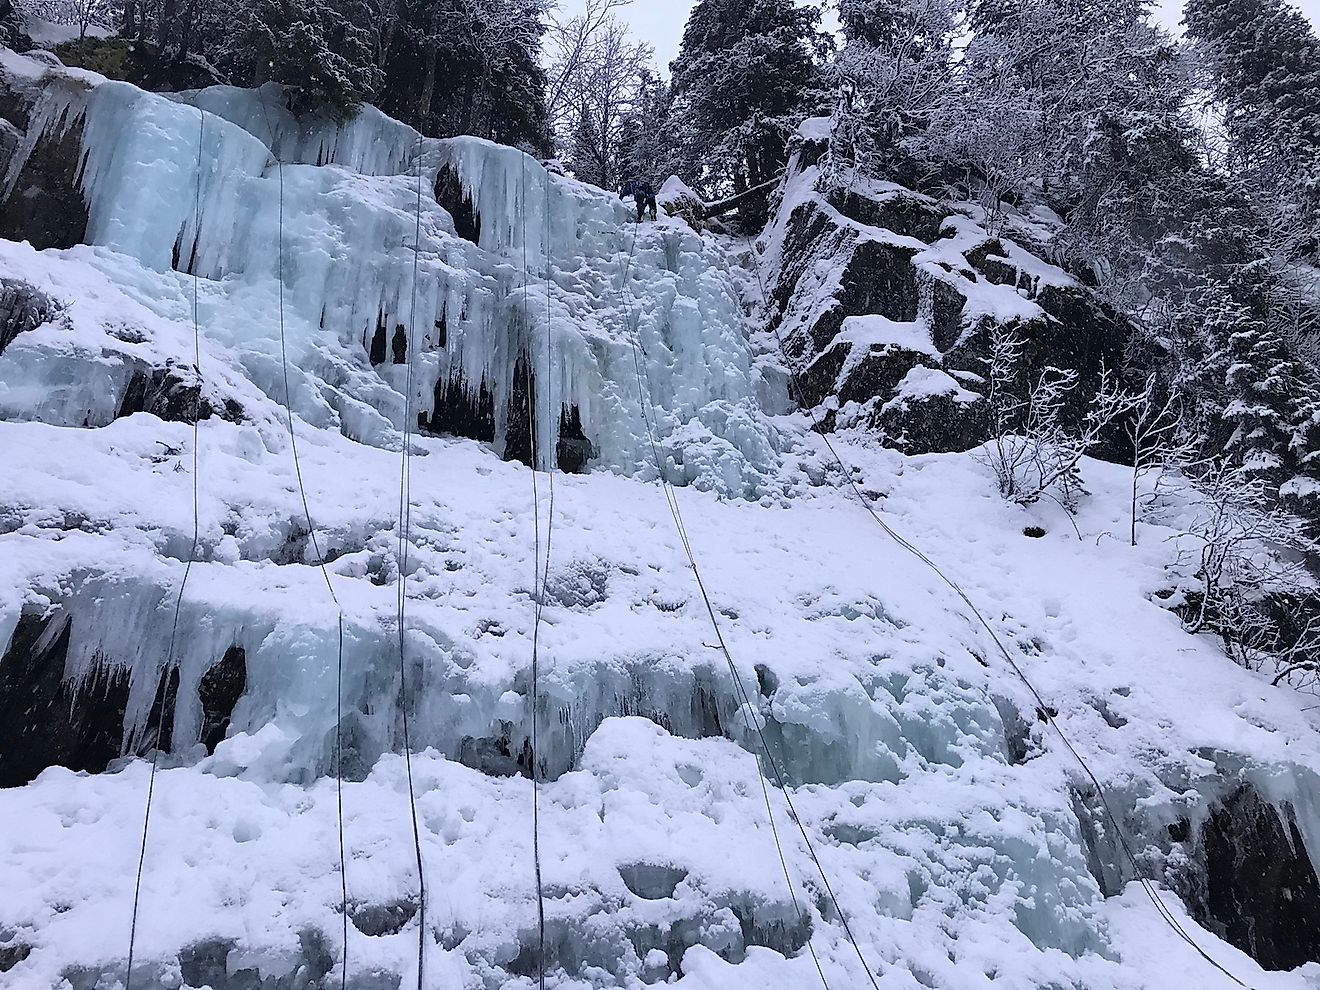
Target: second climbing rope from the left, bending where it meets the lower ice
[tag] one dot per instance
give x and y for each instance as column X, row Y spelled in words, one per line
column 321, row 560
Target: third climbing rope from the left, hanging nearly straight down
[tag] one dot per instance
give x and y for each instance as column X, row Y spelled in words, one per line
column 402, row 591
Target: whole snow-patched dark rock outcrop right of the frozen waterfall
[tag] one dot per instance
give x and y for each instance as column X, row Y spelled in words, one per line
column 874, row 282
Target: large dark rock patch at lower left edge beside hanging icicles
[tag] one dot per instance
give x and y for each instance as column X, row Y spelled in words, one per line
column 47, row 720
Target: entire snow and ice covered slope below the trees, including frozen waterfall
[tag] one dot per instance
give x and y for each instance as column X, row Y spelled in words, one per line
column 960, row 839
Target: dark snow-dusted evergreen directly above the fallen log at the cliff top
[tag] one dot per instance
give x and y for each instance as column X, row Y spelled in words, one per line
column 744, row 80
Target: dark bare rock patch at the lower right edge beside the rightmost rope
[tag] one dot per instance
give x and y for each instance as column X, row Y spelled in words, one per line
column 1263, row 894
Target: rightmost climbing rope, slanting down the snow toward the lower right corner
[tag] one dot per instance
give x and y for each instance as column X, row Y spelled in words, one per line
column 1043, row 711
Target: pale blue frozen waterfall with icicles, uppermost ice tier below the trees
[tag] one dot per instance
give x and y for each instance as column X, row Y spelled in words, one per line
column 551, row 250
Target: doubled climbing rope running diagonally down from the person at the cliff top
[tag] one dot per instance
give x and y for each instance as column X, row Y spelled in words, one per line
column 744, row 696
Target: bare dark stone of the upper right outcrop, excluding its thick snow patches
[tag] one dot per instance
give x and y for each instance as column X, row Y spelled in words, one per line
column 839, row 261
